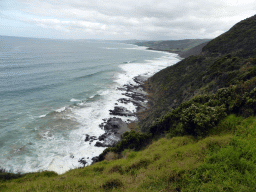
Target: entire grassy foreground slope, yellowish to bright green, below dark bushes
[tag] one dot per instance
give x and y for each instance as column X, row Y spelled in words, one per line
column 223, row 161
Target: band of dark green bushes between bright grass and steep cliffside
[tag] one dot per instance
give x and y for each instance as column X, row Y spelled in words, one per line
column 199, row 115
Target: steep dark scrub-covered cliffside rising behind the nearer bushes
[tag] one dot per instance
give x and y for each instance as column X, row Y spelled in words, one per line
column 224, row 61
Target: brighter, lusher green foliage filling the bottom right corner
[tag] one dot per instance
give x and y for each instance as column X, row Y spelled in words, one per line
column 231, row 168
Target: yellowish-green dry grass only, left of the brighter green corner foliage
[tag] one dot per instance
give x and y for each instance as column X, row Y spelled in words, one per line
column 153, row 169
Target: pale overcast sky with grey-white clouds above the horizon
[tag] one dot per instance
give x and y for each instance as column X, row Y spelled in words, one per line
column 122, row 19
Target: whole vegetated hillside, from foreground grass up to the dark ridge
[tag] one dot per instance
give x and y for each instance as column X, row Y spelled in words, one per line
column 199, row 134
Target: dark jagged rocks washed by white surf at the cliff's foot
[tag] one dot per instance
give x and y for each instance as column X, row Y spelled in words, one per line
column 114, row 127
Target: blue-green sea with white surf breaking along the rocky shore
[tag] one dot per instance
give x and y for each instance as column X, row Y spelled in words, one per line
column 54, row 92
